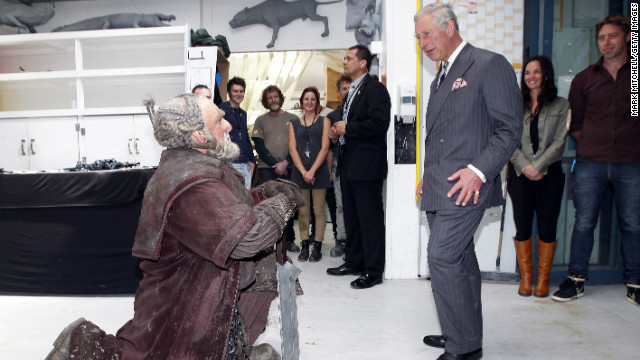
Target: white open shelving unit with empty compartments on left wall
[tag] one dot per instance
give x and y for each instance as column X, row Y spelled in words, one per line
column 91, row 72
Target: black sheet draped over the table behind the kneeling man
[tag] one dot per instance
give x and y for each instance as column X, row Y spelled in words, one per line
column 70, row 233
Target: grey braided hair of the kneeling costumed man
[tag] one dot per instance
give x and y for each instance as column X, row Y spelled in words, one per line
column 175, row 120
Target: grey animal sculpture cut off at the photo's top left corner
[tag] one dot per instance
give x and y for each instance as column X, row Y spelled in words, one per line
column 24, row 15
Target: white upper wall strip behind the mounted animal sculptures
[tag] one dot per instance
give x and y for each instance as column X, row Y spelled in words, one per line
column 214, row 15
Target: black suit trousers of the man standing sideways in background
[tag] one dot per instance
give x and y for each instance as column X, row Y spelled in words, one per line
column 364, row 224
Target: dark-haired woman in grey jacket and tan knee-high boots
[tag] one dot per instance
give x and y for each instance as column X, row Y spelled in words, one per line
column 536, row 180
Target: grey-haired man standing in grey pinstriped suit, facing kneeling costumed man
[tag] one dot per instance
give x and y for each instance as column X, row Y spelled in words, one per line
column 473, row 125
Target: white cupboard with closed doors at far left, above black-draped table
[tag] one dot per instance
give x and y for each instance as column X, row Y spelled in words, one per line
column 38, row 143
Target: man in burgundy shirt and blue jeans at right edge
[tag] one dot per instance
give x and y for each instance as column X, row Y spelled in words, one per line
column 607, row 153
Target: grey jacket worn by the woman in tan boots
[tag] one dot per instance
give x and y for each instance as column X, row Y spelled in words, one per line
column 552, row 131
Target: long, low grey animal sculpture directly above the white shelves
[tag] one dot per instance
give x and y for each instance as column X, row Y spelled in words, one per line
column 118, row 21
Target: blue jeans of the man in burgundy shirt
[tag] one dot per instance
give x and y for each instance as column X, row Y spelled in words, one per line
column 591, row 180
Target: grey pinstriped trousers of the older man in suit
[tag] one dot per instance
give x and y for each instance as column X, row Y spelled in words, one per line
column 455, row 277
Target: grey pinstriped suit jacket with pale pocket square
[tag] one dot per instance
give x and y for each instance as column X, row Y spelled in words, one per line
column 474, row 117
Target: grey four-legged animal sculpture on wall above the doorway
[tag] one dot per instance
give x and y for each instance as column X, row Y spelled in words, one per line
column 278, row 13
